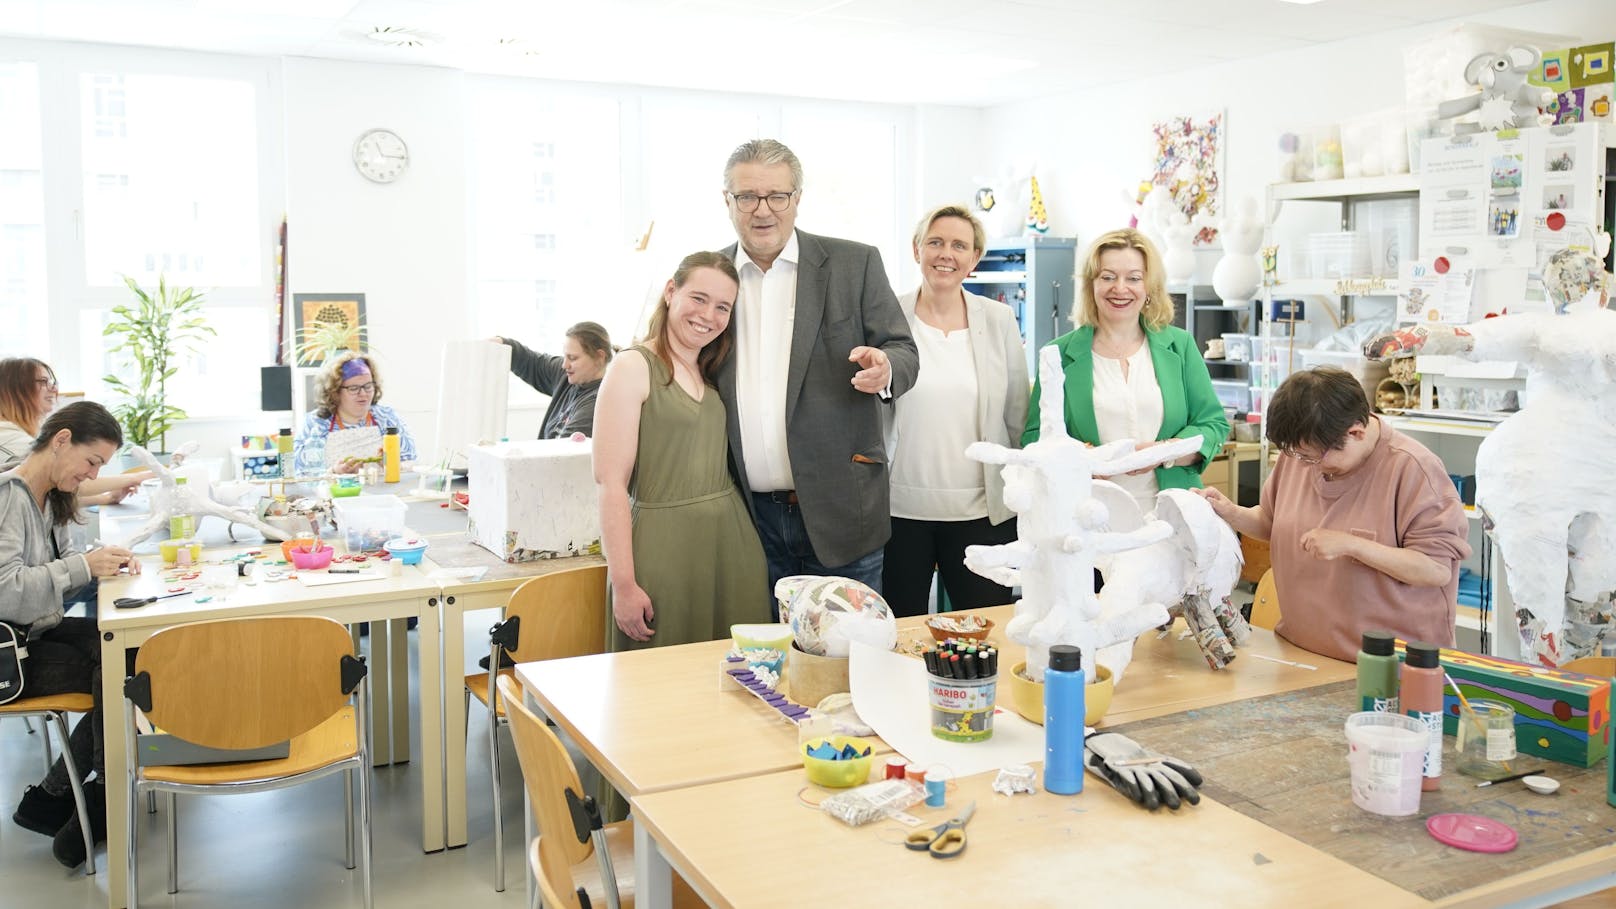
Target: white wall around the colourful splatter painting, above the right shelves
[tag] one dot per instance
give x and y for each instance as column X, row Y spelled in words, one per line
column 1095, row 146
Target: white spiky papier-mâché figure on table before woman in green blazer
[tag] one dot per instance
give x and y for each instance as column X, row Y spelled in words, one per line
column 1063, row 530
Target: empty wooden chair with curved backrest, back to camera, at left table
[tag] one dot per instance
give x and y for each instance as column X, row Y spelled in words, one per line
column 243, row 685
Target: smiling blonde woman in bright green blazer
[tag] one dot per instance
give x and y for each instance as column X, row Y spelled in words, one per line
column 1130, row 373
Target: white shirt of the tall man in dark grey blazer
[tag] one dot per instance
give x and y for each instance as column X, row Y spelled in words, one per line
column 765, row 313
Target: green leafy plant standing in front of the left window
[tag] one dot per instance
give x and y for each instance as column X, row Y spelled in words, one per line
column 153, row 336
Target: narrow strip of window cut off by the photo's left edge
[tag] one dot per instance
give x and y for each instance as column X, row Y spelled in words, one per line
column 23, row 305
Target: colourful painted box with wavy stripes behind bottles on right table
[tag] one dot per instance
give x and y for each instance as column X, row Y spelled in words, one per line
column 1559, row 716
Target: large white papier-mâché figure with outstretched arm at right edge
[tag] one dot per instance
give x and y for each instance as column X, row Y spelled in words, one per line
column 1542, row 480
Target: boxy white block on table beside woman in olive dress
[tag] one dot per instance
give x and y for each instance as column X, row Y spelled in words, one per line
column 534, row 499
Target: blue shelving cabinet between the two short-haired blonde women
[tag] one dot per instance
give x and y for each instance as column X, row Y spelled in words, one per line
column 1035, row 277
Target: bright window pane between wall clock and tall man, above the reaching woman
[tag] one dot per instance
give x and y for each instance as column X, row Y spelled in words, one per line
column 547, row 258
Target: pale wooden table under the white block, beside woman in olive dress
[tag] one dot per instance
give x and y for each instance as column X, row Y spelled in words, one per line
column 458, row 598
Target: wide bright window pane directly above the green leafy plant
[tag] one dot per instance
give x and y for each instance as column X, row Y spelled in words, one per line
column 161, row 195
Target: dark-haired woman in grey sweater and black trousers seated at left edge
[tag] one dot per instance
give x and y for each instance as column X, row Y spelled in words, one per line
column 38, row 570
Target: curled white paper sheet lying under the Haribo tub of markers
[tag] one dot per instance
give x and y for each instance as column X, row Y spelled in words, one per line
column 890, row 693
